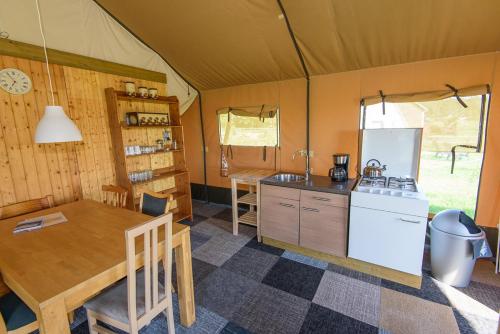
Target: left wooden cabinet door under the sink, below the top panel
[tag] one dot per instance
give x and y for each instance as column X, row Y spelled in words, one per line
column 279, row 219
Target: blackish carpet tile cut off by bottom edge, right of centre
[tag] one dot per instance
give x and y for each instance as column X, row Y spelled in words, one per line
column 321, row 320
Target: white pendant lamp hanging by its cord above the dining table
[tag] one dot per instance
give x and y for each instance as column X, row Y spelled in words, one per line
column 55, row 126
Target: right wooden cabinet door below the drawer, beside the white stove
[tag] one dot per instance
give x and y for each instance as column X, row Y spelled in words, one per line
column 323, row 228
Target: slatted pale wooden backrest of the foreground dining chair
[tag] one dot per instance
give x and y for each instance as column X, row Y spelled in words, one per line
column 153, row 305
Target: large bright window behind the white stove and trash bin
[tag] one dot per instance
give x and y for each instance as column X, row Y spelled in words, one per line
column 448, row 127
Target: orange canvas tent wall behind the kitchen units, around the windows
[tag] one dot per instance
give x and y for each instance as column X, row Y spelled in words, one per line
column 335, row 118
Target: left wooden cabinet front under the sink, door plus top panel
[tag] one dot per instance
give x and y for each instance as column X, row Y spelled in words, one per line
column 279, row 215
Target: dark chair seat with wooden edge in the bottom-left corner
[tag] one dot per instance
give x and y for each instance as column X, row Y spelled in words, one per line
column 15, row 316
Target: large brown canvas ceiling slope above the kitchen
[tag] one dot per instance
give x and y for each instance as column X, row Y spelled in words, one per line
column 223, row 43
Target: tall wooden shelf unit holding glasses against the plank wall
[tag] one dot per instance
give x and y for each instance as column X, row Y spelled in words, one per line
column 169, row 167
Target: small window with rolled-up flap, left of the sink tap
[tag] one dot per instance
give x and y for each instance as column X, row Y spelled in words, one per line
column 250, row 126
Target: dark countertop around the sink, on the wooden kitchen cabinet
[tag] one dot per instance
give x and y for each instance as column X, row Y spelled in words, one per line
column 316, row 183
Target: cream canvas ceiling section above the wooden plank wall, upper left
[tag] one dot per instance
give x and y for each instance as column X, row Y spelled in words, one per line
column 84, row 28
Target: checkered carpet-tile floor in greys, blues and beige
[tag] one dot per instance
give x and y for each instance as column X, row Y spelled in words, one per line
column 242, row 286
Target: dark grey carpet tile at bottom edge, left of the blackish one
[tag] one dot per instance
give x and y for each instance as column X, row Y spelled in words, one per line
column 269, row 310
